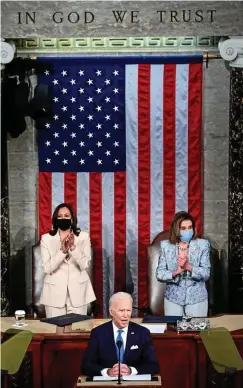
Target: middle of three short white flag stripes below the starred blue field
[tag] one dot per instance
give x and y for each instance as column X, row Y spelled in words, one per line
column 83, row 200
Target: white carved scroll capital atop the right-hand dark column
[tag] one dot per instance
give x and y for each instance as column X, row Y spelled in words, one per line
column 231, row 50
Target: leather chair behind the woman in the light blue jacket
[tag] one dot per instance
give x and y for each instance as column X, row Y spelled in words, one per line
column 156, row 289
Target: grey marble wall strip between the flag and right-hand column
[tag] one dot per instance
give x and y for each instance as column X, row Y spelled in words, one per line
column 216, row 141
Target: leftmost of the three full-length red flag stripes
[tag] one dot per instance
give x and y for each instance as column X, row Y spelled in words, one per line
column 143, row 179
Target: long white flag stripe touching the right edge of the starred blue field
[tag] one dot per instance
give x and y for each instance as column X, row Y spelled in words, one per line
column 131, row 98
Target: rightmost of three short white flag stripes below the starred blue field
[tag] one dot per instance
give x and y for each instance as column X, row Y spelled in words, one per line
column 107, row 238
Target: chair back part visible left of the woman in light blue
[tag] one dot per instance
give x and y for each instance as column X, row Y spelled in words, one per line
column 156, row 289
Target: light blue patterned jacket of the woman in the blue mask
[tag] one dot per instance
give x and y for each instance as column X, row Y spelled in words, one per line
column 188, row 287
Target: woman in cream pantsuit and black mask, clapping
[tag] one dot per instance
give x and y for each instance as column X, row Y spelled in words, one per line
column 66, row 254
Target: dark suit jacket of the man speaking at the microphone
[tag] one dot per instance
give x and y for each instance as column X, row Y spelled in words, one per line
column 101, row 351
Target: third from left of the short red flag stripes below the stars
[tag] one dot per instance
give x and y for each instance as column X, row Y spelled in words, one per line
column 95, row 201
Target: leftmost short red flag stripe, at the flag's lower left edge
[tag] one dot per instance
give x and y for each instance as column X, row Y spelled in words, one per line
column 45, row 202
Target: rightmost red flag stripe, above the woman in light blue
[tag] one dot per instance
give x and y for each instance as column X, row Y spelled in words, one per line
column 194, row 143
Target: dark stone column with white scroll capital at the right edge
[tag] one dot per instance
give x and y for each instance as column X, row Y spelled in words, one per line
column 232, row 51
